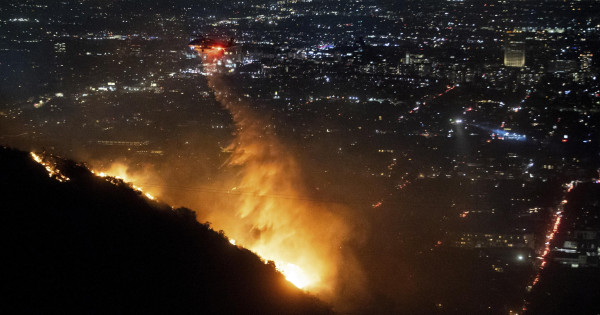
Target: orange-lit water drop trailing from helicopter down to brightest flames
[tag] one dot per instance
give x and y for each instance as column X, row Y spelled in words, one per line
column 272, row 217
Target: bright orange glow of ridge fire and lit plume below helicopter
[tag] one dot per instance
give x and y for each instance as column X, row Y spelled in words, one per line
column 265, row 206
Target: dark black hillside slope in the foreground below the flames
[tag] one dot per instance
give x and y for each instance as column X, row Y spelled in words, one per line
column 87, row 246
